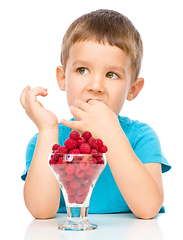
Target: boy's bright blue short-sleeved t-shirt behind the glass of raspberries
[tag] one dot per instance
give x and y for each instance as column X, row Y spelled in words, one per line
column 106, row 197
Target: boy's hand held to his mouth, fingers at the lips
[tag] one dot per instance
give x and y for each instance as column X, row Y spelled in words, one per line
column 94, row 116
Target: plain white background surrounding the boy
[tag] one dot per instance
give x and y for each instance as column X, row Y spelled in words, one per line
column 31, row 33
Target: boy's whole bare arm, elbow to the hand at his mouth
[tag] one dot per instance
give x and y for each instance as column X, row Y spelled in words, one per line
column 140, row 184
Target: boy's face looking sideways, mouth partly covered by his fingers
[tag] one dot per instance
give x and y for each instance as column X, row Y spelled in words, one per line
column 97, row 71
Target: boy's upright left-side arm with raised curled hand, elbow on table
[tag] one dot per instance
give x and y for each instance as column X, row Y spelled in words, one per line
column 41, row 189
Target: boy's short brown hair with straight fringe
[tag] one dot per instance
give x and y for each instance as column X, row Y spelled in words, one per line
column 106, row 25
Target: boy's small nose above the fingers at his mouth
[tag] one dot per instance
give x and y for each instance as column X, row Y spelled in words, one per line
column 96, row 84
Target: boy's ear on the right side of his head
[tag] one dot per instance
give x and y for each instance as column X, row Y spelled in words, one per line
column 135, row 89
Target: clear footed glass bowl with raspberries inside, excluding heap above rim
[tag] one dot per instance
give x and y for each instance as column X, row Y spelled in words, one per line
column 77, row 175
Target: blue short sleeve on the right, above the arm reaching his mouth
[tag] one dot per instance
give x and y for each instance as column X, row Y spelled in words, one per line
column 147, row 147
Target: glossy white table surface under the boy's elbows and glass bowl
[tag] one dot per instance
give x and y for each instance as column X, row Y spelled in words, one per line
column 110, row 226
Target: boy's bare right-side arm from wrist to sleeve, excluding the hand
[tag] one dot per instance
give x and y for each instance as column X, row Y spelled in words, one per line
column 140, row 184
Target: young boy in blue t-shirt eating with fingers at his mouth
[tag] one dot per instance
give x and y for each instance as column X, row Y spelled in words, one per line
column 101, row 59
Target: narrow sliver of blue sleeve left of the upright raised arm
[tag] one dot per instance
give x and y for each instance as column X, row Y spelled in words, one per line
column 29, row 155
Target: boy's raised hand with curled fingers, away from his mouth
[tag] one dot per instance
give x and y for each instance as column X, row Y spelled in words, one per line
column 34, row 109
